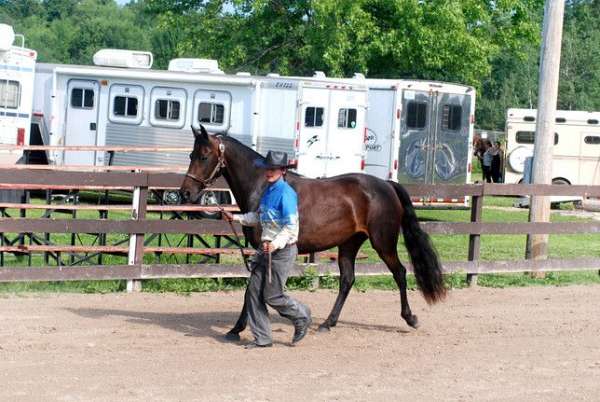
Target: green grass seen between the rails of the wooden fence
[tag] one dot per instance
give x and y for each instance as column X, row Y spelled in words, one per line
column 450, row 248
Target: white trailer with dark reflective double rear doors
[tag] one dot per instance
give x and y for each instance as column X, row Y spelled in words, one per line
column 420, row 132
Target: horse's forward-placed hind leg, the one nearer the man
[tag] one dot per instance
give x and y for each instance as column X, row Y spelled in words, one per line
column 346, row 257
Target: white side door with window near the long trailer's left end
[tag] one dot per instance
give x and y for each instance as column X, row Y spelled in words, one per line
column 81, row 120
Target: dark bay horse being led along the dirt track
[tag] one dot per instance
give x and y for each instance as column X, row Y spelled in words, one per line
column 340, row 211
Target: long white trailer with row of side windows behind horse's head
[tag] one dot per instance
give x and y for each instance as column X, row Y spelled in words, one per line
column 318, row 124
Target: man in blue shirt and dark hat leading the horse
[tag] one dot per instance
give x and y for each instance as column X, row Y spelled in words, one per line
column 277, row 216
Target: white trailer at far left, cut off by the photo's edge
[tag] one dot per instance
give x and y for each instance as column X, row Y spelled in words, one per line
column 17, row 66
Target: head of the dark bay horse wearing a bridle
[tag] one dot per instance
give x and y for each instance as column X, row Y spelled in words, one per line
column 206, row 162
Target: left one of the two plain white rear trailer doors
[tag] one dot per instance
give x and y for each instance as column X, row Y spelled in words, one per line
column 312, row 146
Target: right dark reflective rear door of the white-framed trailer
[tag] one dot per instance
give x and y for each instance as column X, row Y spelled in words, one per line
column 450, row 139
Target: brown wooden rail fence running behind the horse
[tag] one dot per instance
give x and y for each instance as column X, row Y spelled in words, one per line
column 139, row 226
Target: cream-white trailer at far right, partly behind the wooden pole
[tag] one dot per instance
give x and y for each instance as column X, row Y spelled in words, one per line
column 576, row 151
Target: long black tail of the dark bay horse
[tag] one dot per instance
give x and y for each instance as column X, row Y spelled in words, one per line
column 424, row 258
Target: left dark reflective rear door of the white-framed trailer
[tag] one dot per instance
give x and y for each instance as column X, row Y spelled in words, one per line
column 416, row 137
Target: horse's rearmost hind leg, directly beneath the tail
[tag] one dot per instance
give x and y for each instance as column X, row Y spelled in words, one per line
column 386, row 248
